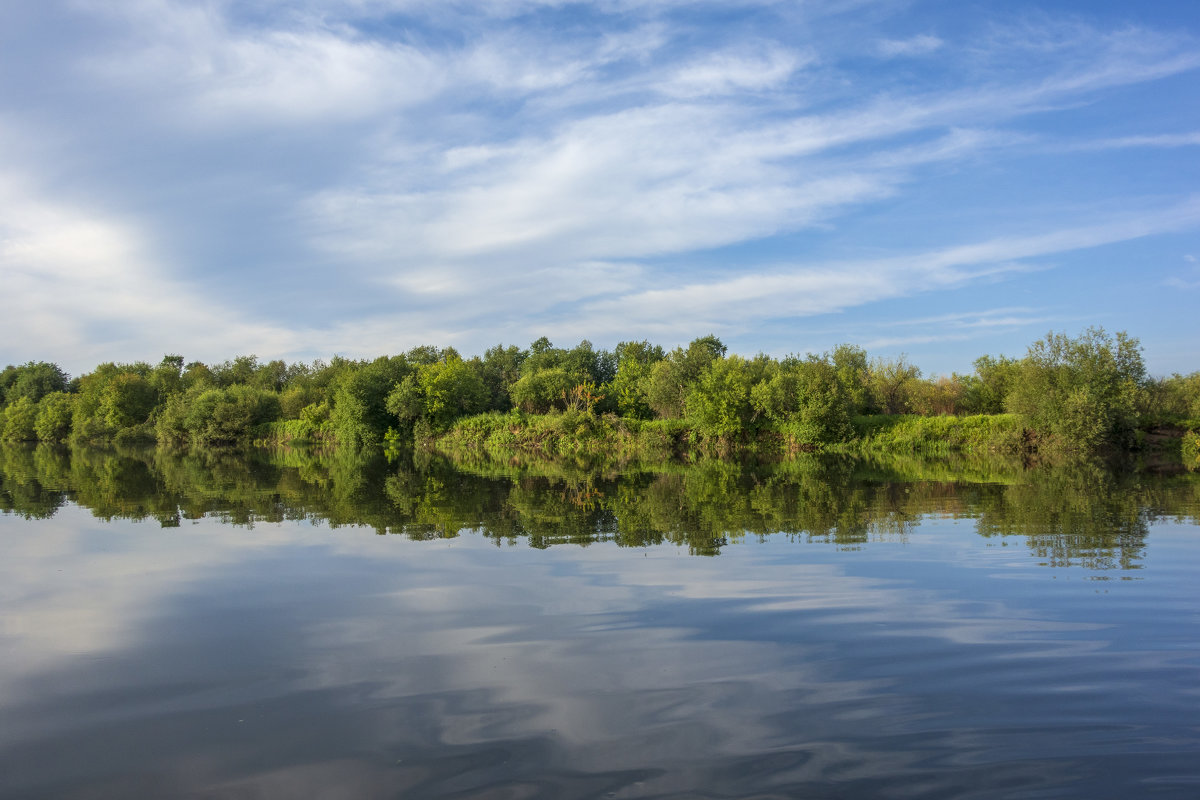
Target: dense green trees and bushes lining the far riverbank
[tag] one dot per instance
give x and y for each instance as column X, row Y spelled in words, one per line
column 1085, row 394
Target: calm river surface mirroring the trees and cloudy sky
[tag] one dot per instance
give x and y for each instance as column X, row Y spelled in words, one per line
column 303, row 627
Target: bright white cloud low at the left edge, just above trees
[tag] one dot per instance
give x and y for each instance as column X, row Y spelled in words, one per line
column 91, row 286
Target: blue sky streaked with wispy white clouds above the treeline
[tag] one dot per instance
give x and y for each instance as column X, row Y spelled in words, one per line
column 305, row 179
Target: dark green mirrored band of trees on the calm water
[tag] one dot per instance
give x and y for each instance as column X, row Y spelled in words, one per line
column 1071, row 515
